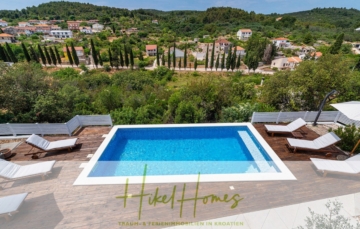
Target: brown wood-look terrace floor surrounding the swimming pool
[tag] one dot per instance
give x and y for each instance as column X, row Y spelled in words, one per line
column 56, row 203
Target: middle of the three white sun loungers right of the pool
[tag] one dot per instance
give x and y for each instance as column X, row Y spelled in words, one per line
column 318, row 144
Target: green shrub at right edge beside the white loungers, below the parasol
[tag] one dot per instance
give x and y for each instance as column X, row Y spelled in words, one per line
column 349, row 135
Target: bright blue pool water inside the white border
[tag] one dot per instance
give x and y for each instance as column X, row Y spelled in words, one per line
column 183, row 151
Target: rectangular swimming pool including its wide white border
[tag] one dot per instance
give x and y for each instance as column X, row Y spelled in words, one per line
column 177, row 153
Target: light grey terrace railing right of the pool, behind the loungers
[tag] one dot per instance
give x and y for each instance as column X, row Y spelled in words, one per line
column 308, row 116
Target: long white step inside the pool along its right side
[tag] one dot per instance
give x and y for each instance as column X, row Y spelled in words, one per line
column 259, row 159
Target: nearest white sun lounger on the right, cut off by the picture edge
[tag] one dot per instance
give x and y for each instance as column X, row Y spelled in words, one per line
column 350, row 165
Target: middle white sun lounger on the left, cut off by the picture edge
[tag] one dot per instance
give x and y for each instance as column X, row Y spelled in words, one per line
column 12, row 171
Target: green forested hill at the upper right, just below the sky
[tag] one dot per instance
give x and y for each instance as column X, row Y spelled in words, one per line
column 330, row 17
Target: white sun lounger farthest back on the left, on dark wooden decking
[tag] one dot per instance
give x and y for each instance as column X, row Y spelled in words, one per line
column 46, row 146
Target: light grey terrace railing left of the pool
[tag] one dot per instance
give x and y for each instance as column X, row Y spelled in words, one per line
column 55, row 128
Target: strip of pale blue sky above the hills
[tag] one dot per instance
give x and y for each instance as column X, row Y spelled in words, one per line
column 259, row 6
